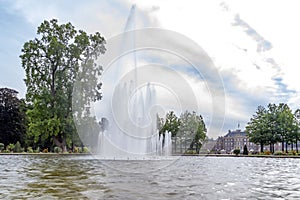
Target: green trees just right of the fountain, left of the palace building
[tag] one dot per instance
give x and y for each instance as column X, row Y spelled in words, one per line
column 188, row 130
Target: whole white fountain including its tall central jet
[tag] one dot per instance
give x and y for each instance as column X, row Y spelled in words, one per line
column 129, row 128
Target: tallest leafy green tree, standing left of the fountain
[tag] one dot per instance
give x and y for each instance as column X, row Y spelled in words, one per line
column 52, row 62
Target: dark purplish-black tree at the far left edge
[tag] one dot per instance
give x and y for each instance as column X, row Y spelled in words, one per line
column 12, row 117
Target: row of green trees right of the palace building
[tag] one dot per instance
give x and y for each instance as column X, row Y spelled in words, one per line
column 274, row 124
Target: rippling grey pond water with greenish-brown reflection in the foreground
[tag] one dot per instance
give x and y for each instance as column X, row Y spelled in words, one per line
column 84, row 177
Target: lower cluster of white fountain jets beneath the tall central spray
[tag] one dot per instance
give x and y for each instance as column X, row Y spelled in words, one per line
column 132, row 132
